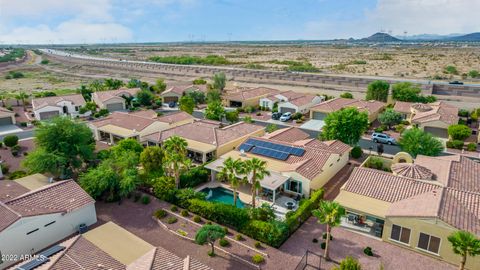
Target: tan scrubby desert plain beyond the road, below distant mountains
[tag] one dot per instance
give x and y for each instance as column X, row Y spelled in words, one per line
column 419, row 61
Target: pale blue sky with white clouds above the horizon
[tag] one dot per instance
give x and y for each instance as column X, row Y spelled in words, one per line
column 90, row 21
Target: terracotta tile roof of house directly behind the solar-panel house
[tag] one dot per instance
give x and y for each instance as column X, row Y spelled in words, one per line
column 208, row 132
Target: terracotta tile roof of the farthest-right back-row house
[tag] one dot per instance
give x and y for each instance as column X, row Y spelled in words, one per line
column 440, row 112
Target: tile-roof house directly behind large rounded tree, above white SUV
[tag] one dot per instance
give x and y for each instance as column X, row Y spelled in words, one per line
column 372, row 107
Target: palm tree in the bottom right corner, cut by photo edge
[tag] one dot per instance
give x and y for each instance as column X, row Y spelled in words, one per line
column 464, row 244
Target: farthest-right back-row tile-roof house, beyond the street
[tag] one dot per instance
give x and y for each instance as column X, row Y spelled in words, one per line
column 434, row 118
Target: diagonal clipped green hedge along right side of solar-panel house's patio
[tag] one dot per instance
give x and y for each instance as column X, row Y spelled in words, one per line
column 304, row 211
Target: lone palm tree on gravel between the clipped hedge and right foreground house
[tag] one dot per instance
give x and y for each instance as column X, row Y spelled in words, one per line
column 329, row 213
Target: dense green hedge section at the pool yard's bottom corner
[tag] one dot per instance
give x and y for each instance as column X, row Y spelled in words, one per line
column 273, row 233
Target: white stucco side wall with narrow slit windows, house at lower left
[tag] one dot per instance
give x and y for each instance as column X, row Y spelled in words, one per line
column 14, row 239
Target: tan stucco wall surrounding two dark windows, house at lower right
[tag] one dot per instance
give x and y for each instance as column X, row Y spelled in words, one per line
column 430, row 226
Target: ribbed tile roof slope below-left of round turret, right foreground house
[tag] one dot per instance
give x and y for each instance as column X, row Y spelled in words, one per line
column 384, row 186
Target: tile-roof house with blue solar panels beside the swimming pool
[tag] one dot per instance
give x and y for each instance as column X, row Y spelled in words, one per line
column 310, row 169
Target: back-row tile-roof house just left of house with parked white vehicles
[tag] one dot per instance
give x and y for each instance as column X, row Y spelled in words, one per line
column 243, row 97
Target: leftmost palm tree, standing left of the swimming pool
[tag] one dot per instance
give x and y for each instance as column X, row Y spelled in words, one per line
column 176, row 160
